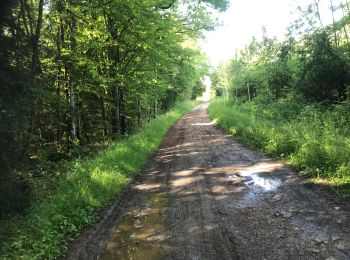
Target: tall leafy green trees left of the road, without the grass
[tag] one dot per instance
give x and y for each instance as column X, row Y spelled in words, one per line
column 78, row 74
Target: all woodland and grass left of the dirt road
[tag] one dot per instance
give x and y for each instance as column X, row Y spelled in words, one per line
column 78, row 77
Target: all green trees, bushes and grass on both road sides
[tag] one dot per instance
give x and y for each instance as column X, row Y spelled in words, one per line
column 88, row 89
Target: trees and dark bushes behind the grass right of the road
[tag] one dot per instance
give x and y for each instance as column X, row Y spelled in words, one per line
column 316, row 66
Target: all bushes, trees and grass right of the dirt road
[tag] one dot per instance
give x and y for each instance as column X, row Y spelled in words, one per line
column 290, row 98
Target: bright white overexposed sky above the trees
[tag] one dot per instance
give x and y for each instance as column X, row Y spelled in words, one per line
column 245, row 18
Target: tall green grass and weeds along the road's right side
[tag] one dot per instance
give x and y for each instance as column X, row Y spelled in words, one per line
column 312, row 138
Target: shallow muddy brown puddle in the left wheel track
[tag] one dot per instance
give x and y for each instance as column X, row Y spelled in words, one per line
column 135, row 237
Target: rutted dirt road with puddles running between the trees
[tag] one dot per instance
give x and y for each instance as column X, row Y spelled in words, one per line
column 204, row 196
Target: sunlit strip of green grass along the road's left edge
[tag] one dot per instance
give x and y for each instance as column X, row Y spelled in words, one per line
column 90, row 184
